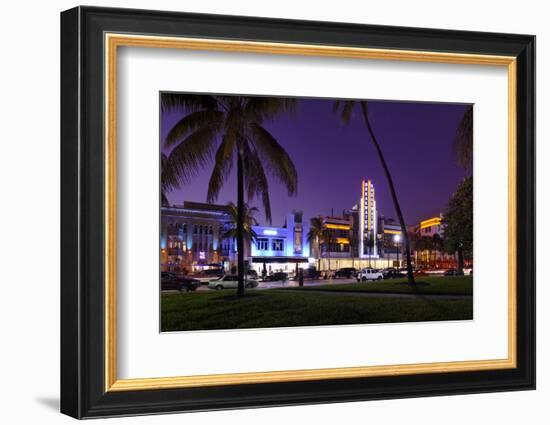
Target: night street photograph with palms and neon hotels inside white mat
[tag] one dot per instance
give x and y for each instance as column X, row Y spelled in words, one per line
column 294, row 211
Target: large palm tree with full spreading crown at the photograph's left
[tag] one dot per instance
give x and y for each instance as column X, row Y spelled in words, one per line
column 229, row 130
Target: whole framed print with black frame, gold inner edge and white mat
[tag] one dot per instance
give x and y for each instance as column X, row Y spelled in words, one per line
column 261, row 212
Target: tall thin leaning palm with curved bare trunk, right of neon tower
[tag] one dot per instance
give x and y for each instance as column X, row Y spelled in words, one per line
column 346, row 113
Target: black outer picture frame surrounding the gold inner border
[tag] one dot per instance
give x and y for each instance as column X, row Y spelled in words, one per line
column 82, row 212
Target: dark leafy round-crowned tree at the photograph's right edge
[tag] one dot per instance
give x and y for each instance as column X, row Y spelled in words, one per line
column 459, row 222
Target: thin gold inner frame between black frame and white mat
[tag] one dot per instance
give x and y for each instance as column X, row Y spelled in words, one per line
column 113, row 41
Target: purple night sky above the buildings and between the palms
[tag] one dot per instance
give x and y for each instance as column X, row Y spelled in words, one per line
column 331, row 159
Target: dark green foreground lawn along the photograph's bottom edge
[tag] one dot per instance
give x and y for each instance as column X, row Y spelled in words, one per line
column 280, row 308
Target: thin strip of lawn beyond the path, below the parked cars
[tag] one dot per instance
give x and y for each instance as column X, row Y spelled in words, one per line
column 442, row 285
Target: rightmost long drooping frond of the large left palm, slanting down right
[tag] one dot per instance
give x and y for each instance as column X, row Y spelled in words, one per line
column 275, row 158
